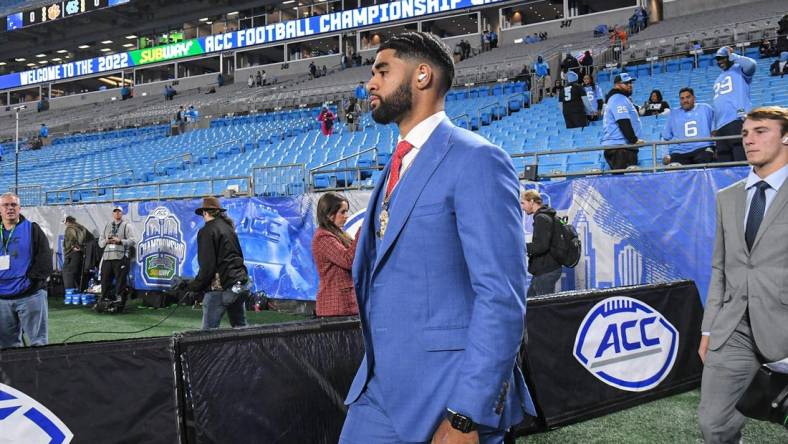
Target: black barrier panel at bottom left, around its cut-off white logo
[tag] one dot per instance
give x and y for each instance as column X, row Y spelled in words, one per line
column 104, row 392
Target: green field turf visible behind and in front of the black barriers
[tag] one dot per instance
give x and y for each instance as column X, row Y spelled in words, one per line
column 668, row 420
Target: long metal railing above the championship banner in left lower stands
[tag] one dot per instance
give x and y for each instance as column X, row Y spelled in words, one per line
column 155, row 190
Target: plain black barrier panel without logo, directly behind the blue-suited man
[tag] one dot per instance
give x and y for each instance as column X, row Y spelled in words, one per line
column 271, row 384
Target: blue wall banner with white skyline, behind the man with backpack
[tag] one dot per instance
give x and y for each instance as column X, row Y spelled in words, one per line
column 640, row 228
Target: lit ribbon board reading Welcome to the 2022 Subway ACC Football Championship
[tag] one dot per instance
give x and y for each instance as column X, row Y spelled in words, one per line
column 273, row 33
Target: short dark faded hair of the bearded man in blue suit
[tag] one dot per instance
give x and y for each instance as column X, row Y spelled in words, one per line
column 426, row 47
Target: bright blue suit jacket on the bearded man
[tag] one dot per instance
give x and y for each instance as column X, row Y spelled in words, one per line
column 442, row 302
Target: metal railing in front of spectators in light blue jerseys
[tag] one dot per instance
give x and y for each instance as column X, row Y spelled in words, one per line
column 653, row 145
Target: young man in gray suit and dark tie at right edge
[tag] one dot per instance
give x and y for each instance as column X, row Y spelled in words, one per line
column 746, row 319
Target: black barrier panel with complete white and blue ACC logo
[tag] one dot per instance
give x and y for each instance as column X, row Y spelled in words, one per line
column 569, row 389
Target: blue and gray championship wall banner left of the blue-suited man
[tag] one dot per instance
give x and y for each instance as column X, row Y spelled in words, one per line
column 275, row 235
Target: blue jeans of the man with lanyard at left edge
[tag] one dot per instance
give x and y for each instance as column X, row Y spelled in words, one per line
column 27, row 315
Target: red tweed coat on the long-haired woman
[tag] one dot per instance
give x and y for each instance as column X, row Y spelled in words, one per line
column 335, row 294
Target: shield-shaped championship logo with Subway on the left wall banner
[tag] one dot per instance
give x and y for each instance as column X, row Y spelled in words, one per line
column 162, row 248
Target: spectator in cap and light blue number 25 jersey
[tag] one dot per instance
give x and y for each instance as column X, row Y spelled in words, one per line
column 621, row 124
